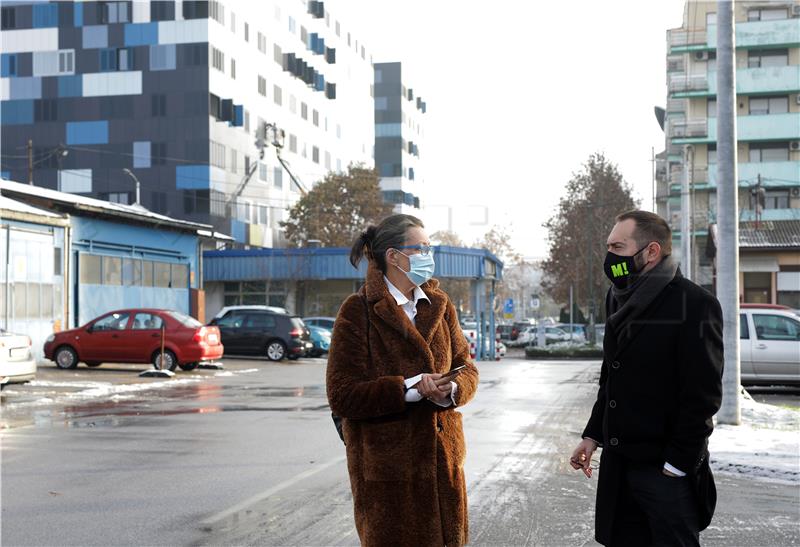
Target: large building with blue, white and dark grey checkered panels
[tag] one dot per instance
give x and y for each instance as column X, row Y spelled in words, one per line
column 102, row 97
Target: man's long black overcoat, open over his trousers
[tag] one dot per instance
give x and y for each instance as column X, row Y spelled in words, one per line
column 659, row 389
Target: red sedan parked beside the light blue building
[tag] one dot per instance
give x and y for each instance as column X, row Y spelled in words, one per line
column 134, row 336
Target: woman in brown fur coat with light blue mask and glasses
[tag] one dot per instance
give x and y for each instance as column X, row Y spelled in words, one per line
column 392, row 343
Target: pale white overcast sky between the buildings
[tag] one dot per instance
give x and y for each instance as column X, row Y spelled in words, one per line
column 519, row 95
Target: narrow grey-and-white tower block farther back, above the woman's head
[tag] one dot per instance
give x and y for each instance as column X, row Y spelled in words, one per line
column 399, row 135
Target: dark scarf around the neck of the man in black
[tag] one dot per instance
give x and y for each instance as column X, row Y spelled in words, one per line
column 625, row 305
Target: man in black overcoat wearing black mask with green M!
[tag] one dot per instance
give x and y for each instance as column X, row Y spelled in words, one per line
column 660, row 386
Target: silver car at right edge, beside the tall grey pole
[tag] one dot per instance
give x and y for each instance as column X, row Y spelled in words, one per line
column 769, row 344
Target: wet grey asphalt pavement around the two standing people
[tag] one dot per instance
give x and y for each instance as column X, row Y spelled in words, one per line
column 249, row 456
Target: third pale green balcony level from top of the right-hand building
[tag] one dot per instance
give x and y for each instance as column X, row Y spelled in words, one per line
column 774, row 127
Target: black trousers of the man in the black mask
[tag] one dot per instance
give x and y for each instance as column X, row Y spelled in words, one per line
column 654, row 509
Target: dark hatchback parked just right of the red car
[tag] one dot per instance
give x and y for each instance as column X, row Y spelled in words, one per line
column 262, row 332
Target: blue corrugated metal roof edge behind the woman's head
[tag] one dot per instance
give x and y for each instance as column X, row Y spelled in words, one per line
column 334, row 263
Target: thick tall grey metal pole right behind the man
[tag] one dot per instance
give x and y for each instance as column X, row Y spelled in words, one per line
column 728, row 212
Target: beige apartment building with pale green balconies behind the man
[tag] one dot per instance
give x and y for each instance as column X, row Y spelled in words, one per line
column 767, row 38
